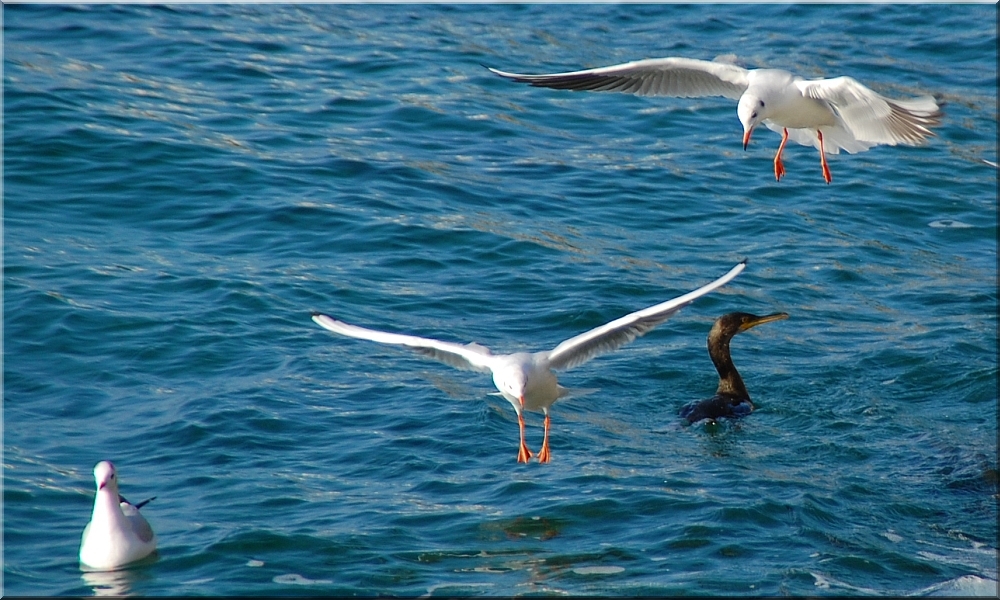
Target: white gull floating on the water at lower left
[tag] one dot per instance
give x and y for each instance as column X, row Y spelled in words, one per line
column 117, row 534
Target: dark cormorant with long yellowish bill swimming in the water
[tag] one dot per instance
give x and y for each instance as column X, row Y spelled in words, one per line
column 732, row 398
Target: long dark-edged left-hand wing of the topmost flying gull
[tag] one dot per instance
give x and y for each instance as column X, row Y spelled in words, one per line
column 678, row 77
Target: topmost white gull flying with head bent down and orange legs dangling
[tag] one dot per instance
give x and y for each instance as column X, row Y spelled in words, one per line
column 829, row 114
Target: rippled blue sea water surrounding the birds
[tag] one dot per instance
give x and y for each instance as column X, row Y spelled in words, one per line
column 184, row 185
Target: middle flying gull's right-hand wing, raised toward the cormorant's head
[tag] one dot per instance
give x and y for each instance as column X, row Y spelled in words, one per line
column 578, row 350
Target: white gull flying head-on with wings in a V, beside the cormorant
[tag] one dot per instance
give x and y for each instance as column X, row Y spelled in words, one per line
column 526, row 379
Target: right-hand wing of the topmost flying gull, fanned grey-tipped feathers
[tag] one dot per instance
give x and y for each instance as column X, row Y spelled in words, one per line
column 874, row 118
